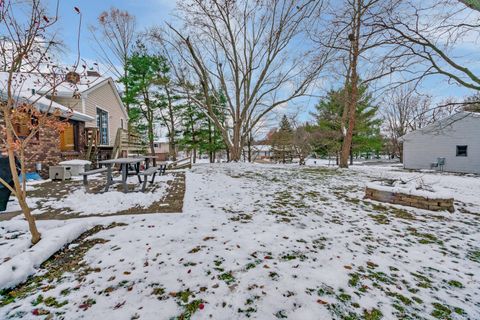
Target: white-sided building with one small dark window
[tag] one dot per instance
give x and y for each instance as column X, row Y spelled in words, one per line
column 452, row 144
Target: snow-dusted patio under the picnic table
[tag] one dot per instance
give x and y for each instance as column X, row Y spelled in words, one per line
column 55, row 199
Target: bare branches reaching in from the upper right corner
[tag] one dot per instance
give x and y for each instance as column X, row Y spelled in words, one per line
column 429, row 31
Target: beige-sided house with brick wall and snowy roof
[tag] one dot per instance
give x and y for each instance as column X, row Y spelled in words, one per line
column 89, row 102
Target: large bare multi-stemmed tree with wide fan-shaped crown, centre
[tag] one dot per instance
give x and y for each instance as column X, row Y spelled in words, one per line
column 251, row 51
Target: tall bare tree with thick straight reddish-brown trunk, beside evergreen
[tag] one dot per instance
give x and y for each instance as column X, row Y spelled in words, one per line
column 364, row 55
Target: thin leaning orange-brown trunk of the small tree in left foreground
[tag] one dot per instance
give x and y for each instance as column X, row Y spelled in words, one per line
column 19, row 192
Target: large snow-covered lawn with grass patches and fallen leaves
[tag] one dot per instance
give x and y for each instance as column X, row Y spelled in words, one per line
column 268, row 242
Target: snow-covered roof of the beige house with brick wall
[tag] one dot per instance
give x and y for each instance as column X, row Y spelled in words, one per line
column 34, row 88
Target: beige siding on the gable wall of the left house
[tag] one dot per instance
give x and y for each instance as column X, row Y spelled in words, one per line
column 104, row 98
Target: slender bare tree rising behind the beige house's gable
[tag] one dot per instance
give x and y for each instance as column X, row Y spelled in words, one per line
column 115, row 40
